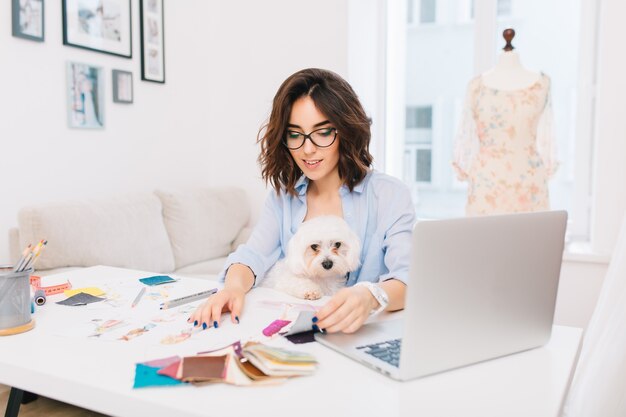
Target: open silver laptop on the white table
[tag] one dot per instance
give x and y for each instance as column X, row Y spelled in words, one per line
column 479, row 288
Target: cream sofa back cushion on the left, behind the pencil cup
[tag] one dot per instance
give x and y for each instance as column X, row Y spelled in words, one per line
column 124, row 231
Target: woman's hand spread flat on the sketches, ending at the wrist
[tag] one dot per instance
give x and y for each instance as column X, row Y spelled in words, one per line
column 208, row 314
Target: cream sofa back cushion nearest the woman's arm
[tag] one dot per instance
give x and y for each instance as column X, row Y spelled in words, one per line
column 203, row 223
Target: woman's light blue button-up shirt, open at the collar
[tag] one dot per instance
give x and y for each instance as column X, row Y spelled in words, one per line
column 379, row 210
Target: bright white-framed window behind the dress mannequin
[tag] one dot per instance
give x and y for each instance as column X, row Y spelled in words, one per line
column 440, row 60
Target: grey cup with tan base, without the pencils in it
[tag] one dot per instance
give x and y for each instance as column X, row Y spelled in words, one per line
column 15, row 302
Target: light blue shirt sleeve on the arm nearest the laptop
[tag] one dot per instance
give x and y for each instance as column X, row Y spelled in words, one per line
column 398, row 215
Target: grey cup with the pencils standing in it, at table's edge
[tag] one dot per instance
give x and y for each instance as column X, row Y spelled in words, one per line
column 15, row 300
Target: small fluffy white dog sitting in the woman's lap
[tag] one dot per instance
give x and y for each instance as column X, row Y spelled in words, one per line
column 318, row 258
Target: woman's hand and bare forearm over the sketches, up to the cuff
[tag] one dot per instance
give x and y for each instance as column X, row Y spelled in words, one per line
column 239, row 280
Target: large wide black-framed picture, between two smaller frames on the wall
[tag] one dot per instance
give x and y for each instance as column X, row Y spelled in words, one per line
column 98, row 25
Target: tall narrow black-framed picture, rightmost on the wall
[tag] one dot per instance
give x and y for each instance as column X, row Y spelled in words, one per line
column 152, row 41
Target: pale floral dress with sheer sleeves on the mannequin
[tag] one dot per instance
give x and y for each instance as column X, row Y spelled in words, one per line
column 506, row 148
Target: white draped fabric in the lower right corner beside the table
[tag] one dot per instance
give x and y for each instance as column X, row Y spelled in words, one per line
column 599, row 386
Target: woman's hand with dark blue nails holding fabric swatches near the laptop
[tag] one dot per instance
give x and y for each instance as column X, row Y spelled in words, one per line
column 347, row 310
